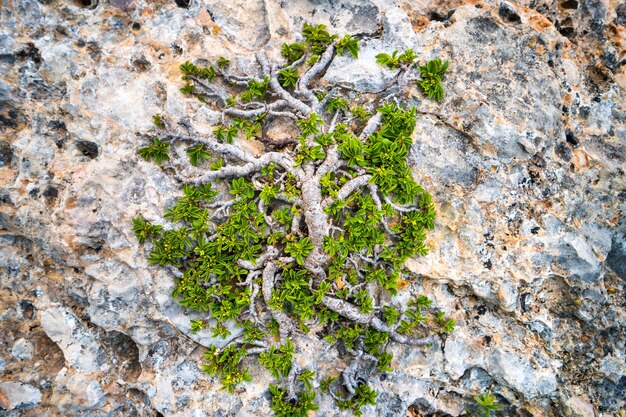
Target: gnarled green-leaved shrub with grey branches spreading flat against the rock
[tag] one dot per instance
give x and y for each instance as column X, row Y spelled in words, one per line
column 308, row 238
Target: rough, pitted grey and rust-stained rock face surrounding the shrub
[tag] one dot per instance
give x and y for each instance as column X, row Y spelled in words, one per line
column 525, row 159
